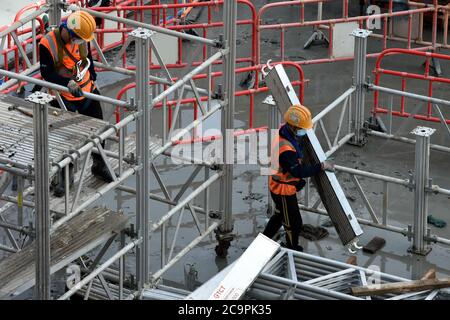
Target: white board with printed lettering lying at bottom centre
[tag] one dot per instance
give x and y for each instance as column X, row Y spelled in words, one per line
column 246, row 269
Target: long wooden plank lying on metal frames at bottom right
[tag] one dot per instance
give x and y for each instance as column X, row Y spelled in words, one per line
column 401, row 287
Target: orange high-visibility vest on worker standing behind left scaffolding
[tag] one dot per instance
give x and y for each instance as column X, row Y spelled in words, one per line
column 65, row 63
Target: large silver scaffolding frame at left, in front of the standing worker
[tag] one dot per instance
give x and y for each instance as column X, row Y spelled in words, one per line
column 127, row 164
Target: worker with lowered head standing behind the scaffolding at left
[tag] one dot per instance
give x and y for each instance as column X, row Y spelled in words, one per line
column 66, row 59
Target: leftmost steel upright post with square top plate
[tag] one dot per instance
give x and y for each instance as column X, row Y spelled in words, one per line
column 41, row 176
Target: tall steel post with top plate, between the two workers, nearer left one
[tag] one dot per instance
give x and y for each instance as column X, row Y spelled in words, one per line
column 143, row 100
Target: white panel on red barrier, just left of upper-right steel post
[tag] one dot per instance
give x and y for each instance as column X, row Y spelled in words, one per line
column 343, row 42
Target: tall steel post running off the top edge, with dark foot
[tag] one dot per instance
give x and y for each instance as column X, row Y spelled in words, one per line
column 223, row 233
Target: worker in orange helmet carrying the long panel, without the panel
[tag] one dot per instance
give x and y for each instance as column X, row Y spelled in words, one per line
column 288, row 173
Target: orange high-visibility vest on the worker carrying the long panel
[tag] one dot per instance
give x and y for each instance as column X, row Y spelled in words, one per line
column 281, row 183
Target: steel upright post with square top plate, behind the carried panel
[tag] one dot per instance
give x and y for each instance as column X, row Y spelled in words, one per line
column 359, row 78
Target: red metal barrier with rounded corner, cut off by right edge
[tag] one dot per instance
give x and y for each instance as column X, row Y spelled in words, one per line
column 428, row 115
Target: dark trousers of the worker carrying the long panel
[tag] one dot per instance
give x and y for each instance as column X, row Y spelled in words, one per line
column 287, row 214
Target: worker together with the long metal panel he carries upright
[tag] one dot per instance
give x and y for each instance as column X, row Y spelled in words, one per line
column 298, row 154
